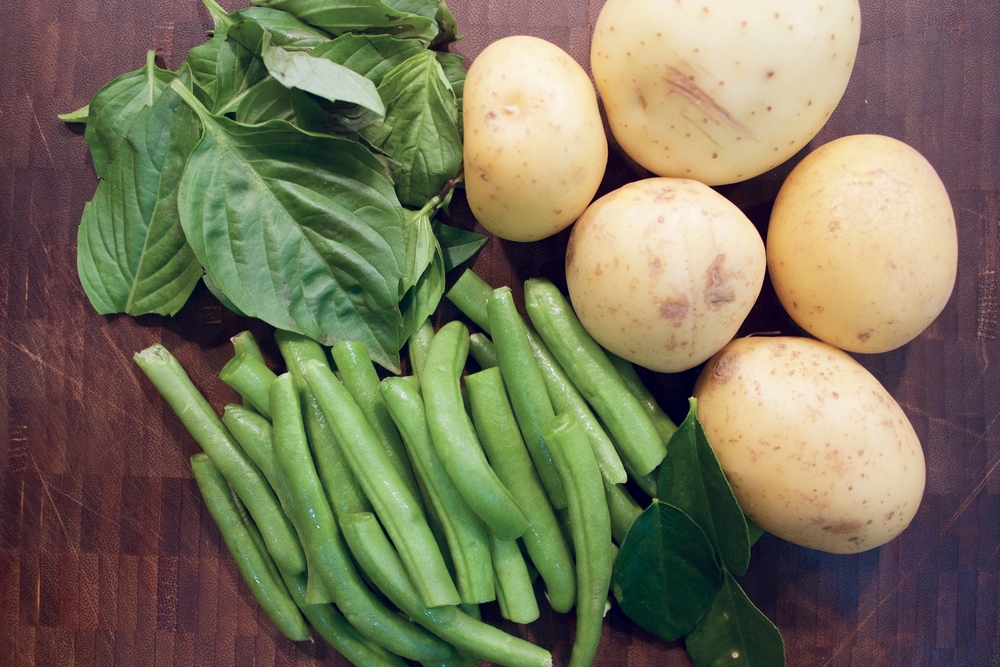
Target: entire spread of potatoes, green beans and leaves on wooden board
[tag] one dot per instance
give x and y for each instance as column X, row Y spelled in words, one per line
column 296, row 162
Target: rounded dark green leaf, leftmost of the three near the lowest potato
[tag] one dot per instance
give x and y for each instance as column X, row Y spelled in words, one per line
column 666, row 575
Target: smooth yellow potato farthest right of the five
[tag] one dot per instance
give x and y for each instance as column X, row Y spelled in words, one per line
column 862, row 245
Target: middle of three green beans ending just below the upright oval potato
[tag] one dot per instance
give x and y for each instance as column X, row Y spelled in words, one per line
column 525, row 387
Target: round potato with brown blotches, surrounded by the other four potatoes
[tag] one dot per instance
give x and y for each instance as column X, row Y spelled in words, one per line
column 663, row 271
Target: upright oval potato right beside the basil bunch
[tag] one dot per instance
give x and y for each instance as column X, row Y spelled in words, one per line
column 535, row 149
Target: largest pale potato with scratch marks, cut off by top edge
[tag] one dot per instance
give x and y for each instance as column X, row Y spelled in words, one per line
column 721, row 91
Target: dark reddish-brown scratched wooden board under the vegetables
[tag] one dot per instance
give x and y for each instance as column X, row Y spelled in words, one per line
column 106, row 555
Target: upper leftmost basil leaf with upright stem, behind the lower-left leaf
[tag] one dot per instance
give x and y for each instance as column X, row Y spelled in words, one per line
column 114, row 107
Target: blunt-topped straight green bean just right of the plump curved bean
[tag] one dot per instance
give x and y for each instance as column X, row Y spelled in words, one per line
column 547, row 548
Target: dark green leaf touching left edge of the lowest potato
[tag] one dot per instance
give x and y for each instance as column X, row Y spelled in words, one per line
column 691, row 478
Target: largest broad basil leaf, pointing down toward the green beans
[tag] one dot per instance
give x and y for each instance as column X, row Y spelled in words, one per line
column 300, row 230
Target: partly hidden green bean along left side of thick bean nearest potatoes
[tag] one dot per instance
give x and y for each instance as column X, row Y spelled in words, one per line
column 567, row 398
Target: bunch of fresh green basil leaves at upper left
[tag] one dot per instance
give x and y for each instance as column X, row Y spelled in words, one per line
column 294, row 161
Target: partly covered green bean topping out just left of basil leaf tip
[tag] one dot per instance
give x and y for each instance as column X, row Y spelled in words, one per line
column 359, row 376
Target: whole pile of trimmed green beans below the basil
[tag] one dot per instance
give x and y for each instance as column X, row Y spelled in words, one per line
column 380, row 512
